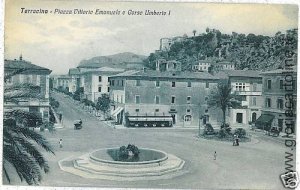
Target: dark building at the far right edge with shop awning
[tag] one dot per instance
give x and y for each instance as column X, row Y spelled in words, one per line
column 279, row 96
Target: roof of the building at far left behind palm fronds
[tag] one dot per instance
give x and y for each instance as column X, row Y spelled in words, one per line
column 22, row 64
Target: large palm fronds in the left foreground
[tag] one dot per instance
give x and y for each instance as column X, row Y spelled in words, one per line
column 20, row 148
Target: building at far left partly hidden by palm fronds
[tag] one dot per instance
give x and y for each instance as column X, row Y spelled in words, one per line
column 31, row 74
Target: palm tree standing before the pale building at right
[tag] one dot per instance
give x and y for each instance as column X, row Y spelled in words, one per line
column 222, row 98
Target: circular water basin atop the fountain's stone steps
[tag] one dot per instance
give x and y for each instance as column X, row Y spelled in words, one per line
column 146, row 156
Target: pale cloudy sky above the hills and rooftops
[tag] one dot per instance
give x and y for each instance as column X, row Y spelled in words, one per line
column 61, row 41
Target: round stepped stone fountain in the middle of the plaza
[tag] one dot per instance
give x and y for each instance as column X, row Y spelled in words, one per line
column 110, row 164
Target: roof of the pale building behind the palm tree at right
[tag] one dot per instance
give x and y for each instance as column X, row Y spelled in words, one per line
column 239, row 73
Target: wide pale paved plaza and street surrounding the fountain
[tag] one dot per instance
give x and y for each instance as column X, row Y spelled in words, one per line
column 253, row 165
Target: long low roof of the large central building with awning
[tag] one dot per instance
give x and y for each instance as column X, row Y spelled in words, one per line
column 167, row 74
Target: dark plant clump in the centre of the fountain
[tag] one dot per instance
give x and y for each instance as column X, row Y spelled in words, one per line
column 129, row 153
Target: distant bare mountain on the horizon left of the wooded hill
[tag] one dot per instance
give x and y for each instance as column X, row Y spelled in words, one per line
column 126, row 60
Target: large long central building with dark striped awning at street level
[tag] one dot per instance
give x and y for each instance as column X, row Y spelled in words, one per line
column 162, row 98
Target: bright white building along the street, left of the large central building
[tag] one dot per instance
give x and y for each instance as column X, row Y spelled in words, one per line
column 96, row 82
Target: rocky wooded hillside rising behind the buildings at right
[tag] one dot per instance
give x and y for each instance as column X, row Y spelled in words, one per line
column 255, row 52
